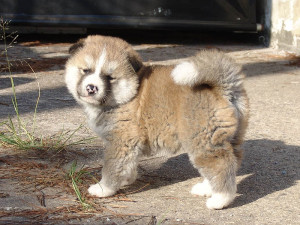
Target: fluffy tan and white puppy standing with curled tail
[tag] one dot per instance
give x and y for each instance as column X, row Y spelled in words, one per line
column 198, row 106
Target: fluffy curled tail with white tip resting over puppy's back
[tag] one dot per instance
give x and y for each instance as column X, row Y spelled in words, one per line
column 213, row 68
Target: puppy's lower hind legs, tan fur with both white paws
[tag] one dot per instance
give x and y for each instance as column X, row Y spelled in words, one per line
column 218, row 167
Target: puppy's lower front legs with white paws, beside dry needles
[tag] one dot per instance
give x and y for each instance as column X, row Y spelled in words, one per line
column 119, row 169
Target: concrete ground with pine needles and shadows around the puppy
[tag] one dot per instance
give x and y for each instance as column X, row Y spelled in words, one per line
column 34, row 185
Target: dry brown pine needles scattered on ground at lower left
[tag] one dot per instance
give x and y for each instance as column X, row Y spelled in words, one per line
column 35, row 173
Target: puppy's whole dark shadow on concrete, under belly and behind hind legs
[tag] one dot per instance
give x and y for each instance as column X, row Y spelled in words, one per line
column 268, row 166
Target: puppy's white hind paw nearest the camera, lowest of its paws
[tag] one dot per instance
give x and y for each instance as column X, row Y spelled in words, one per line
column 219, row 200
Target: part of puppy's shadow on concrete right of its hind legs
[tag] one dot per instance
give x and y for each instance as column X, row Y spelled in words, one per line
column 269, row 166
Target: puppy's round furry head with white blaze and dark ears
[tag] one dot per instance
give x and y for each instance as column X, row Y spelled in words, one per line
column 102, row 71
